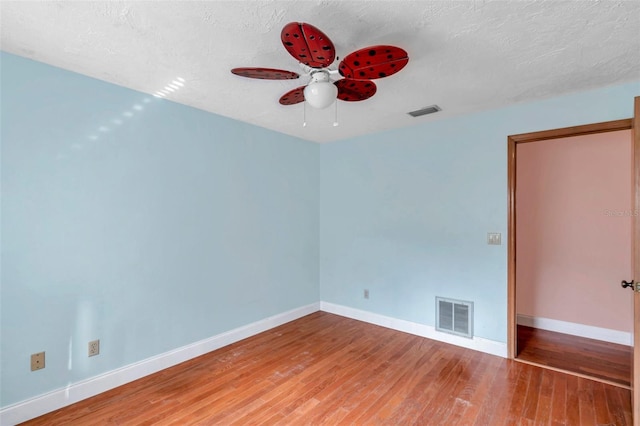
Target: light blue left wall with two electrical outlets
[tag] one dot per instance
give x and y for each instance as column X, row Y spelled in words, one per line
column 171, row 227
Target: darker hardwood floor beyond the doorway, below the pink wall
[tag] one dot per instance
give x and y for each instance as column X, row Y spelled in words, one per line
column 603, row 360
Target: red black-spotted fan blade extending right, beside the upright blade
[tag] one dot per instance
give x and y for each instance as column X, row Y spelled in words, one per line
column 373, row 62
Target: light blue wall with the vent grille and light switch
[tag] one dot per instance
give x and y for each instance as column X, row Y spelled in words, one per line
column 405, row 213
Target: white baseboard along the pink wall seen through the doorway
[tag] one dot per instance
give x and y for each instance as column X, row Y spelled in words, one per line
column 581, row 330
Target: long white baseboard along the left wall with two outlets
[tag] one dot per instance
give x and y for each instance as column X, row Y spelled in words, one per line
column 31, row 408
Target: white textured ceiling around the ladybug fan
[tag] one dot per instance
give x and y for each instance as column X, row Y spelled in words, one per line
column 465, row 56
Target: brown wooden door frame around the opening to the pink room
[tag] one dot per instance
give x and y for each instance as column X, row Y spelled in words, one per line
column 545, row 137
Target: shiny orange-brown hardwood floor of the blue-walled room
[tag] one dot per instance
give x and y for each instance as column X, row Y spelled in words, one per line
column 327, row 369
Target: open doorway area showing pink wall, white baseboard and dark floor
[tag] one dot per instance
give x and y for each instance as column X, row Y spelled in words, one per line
column 574, row 243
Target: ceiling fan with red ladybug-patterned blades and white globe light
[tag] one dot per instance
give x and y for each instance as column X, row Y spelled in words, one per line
column 315, row 52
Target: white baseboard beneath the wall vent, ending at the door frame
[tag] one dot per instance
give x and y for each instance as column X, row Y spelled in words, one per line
column 477, row 343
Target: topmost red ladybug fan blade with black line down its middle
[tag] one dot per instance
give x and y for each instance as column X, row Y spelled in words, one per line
column 308, row 44
